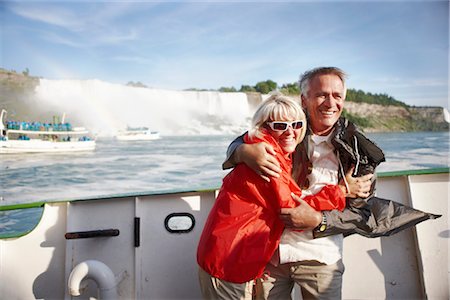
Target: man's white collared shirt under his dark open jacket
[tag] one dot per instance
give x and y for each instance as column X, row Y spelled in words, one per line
column 297, row 246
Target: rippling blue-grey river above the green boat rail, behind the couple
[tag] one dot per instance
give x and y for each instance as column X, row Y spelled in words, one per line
column 171, row 163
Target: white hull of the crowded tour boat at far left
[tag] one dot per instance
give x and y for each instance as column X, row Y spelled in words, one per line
column 34, row 146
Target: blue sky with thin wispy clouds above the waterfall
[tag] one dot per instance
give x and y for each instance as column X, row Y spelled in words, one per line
column 396, row 47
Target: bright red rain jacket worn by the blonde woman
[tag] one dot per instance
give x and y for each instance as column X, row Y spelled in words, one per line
column 243, row 229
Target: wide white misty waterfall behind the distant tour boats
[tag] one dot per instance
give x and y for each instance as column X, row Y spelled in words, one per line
column 105, row 108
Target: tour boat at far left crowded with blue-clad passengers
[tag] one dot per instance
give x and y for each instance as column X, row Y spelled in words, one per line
column 30, row 137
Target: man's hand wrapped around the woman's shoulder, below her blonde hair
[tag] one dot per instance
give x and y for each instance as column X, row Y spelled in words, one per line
column 260, row 157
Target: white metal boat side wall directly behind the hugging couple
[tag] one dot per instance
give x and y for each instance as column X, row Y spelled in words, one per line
column 75, row 249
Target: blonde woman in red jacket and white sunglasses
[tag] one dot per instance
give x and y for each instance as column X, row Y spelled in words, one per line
column 243, row 228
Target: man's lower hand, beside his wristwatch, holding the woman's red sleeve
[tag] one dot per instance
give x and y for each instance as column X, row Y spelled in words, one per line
column 301, row 217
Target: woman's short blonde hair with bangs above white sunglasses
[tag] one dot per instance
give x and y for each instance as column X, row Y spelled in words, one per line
column 276, row 108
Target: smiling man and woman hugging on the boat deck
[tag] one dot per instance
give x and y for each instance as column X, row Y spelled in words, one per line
column 295, row 191
